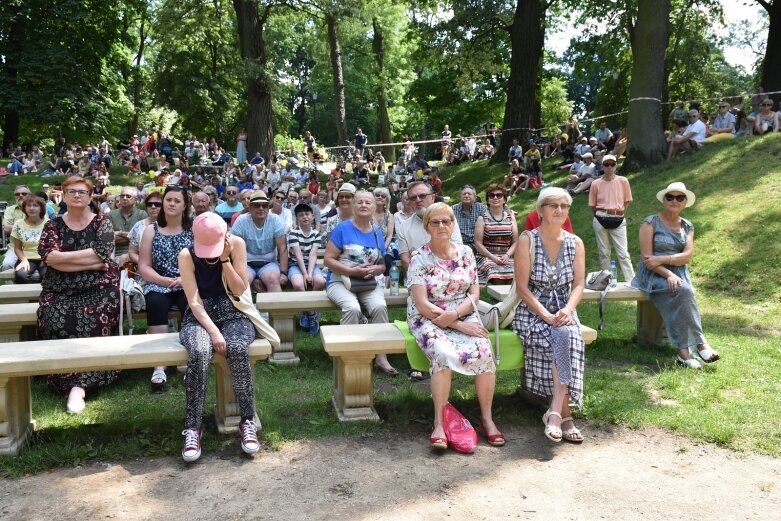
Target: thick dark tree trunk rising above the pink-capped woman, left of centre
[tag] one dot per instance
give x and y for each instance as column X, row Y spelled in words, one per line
column 253, row 52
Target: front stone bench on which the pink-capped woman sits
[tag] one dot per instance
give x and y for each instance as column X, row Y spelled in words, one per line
column 20, row 361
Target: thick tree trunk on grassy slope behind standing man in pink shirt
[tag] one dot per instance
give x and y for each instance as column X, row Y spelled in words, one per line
column 647, row 145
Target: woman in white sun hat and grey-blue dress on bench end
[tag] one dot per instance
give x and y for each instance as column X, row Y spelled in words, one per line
column 666, row 246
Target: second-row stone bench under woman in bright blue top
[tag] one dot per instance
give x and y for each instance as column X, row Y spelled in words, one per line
column 283, row 307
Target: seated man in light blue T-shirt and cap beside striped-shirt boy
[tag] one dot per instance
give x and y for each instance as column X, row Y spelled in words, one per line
column 264, row 233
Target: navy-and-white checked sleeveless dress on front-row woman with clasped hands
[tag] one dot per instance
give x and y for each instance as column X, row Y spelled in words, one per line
column 543, row 345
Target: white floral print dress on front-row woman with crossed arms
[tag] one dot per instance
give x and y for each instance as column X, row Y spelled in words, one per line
column 447, row 283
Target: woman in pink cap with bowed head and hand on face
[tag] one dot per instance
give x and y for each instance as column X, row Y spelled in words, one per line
column 212, row 324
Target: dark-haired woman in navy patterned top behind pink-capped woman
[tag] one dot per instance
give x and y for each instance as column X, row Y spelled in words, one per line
column 157, row 264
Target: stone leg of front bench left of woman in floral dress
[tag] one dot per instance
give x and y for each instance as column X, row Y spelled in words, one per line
column 353, row 388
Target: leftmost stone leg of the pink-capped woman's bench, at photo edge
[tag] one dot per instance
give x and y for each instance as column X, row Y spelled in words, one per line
column 16, row 421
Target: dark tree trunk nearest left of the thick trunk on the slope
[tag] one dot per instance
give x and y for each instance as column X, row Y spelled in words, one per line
column 522, row 110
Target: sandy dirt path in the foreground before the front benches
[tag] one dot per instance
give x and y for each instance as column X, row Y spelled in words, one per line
column 618, row 474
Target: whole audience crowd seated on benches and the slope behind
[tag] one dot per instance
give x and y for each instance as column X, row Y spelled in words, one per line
column 194, row 240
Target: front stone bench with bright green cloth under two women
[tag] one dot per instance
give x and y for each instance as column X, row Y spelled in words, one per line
column 353, row 349
